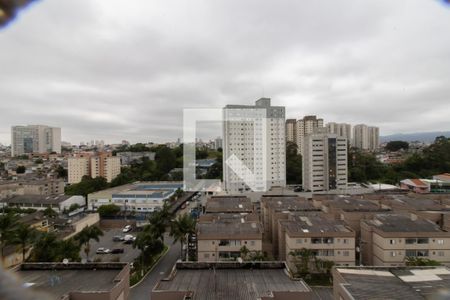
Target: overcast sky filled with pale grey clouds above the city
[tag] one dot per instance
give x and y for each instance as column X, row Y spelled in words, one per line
column 116, row 70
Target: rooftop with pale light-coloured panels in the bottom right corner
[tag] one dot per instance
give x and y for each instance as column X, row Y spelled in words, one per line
column 396, row 282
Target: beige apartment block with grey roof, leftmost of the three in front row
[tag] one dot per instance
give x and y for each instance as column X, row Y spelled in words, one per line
column 222, row 237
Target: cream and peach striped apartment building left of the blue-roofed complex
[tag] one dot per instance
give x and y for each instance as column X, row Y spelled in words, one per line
column 101, row 164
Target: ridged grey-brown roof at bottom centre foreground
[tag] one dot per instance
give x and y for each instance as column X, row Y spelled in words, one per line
column 235, row 284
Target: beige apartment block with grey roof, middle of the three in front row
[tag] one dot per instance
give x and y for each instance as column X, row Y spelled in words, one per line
column 328, row 239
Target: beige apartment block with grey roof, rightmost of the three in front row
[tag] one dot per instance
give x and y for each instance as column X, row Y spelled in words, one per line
column 389, row 239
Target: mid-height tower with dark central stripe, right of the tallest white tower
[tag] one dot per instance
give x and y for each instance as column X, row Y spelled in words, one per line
column 324, row 162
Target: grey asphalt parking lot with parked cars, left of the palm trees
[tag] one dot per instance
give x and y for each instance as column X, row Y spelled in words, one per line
column 106, row 241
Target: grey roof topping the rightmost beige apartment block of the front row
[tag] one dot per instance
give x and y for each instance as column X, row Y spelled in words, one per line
column 402, row 223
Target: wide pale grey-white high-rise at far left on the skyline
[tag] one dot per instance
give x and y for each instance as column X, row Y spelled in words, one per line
column 35, row 139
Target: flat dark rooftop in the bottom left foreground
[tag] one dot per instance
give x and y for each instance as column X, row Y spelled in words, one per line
column 58, row 279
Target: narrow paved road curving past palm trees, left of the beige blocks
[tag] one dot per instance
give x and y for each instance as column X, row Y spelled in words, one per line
column 161, row 270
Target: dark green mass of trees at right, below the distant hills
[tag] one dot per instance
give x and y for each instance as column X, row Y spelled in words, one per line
column 434, row 159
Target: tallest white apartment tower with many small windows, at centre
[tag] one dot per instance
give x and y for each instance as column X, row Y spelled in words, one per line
column 254, row 146
